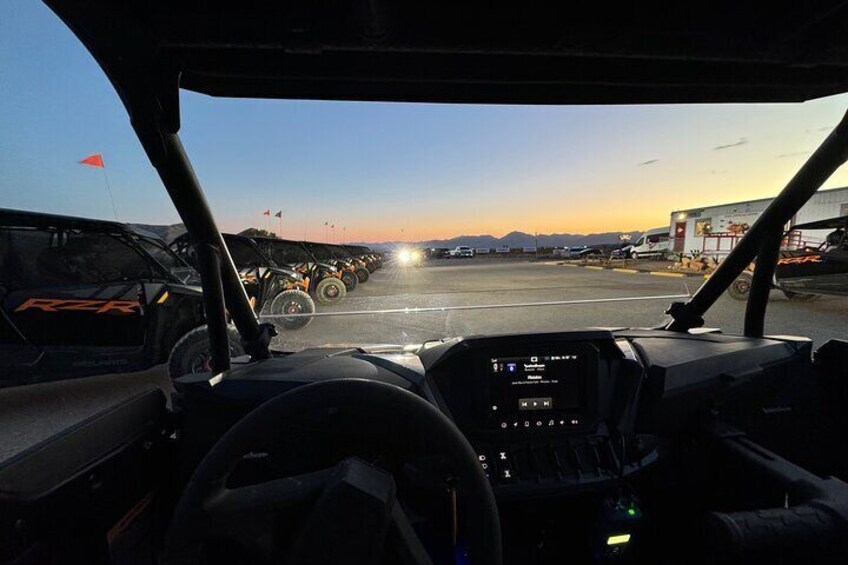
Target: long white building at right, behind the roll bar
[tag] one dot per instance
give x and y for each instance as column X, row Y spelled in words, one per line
column 714, row 230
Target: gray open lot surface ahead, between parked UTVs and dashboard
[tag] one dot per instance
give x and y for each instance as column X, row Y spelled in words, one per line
column 503, row 282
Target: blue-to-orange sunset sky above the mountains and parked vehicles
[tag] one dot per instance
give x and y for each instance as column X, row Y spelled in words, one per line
column 384, row 171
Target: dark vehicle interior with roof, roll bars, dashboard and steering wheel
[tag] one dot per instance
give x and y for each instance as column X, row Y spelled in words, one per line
column 667, row 444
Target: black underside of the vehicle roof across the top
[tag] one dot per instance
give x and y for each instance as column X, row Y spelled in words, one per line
column 474, row 51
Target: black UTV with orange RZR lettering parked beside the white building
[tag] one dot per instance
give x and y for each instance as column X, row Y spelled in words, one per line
column 807, row 272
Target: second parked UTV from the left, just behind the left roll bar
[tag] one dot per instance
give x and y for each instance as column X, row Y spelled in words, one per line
column 272, row 290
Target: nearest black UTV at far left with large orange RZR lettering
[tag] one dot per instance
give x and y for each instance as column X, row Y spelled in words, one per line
column 84, row 297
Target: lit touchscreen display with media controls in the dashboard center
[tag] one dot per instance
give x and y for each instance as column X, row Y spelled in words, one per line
column 522, row 386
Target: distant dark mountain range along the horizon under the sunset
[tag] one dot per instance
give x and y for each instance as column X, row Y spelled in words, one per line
column 515, row 239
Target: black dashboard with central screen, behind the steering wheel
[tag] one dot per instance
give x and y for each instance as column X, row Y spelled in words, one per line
column 547, row 413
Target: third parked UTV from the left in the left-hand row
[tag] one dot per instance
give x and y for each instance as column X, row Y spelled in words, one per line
column 325, row 283
